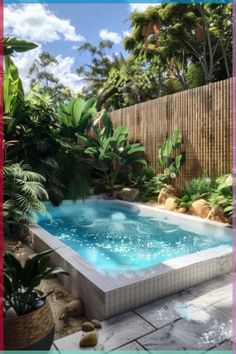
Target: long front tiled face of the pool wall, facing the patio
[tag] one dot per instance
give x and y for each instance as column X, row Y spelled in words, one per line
column 168, row 283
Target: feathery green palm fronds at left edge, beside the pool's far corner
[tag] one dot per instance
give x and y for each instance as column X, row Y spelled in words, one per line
column 23, row 196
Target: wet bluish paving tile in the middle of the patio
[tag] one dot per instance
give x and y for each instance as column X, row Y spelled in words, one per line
column 167, row 310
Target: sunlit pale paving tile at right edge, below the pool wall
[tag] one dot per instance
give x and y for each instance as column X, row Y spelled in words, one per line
column 213, row 290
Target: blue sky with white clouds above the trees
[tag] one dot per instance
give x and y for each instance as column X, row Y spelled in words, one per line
column 61, row 28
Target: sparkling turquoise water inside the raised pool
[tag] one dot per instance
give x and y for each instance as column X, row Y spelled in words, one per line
column 114, row 237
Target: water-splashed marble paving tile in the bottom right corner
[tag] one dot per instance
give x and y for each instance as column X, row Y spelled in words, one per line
column 212, row 327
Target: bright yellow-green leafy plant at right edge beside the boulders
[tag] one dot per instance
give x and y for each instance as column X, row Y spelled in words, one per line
column 222, row 195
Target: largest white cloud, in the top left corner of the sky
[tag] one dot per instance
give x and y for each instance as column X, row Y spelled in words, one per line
column 36, row 22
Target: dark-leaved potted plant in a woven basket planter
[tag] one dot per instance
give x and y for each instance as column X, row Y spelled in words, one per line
column 28, row 319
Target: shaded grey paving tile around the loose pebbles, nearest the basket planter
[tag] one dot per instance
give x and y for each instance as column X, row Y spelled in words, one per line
column 115, row 332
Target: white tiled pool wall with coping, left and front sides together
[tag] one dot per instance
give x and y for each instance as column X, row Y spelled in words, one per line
column 105, row 297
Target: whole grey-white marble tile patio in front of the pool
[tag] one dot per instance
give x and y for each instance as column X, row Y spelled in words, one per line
column 197, row 319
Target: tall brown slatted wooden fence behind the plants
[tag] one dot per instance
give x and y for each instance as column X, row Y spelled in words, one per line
column 203, row 115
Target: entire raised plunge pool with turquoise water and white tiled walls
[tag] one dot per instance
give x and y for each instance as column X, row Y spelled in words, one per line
column 123, row 255
